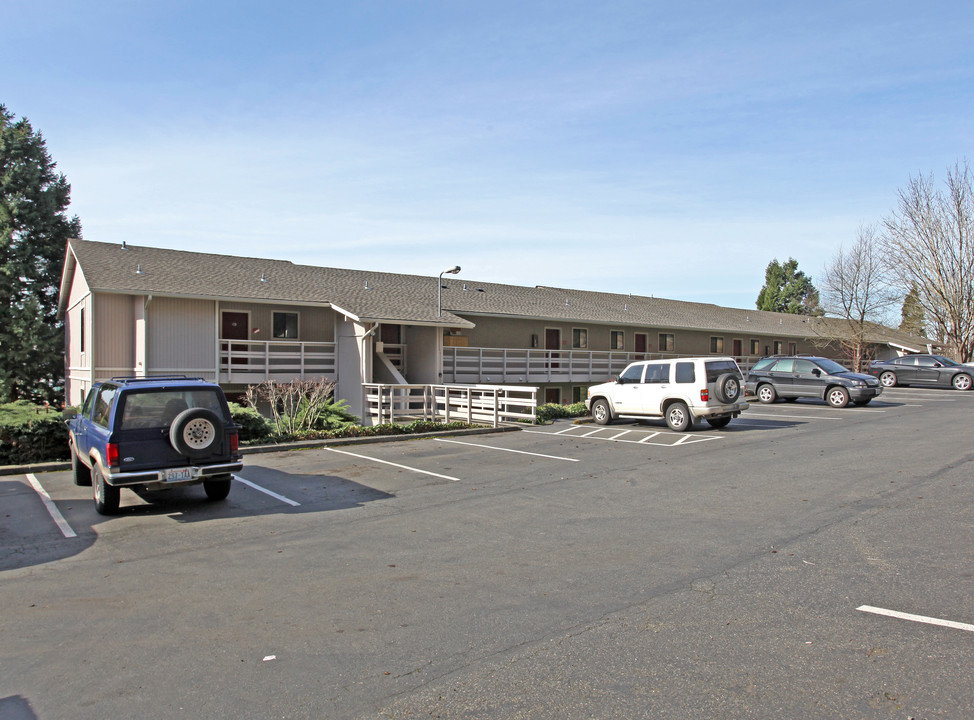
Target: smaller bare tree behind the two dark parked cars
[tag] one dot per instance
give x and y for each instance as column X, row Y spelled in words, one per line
column 855, row 290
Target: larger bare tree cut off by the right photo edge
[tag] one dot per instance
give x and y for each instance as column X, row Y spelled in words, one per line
column 929, row 244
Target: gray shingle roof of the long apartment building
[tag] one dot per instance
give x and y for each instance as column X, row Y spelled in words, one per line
column 411, row 299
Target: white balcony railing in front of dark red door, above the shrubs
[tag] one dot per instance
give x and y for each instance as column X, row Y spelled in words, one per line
column 248, row 361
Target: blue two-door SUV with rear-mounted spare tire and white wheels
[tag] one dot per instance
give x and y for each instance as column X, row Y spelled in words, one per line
column 155, row 433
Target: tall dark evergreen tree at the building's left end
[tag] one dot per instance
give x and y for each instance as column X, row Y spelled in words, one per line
column 34, row 231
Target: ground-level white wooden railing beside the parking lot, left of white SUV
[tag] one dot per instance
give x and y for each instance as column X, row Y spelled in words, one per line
column 483, row 404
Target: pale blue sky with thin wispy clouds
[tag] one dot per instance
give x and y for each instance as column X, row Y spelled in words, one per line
column 667, row 149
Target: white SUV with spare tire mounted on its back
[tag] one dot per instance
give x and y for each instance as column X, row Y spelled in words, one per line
column 681, row 390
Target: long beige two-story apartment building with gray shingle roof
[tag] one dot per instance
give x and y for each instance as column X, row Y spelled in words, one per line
column 147, row 311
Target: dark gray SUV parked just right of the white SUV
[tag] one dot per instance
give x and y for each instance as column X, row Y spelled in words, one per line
column 794, row 376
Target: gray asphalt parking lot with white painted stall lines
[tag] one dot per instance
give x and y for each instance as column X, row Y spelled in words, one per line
column 805, row 562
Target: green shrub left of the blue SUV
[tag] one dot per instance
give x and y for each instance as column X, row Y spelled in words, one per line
column 31, row 434
